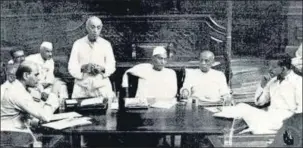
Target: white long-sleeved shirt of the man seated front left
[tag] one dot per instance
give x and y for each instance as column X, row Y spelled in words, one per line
column 18, row 104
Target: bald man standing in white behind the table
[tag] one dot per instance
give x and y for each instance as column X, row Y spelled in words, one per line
column 91, row 63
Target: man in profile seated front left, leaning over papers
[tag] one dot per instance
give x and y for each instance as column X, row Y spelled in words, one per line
column 17, row 105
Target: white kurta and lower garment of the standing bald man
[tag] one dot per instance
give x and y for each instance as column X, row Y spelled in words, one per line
column 84, row 52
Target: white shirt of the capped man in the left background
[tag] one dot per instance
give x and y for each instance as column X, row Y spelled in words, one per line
column 46, row 68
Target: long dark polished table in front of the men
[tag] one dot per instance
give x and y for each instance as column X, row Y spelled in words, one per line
column 182, row 119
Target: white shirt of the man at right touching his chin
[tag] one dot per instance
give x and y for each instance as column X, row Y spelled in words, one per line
column 286, row 95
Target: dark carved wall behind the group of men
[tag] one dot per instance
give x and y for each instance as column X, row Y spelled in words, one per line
column 259, row 27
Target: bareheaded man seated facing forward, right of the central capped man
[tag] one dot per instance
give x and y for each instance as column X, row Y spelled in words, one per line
column 205, row 84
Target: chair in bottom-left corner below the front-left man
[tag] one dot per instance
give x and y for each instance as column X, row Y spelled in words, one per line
column 16, row 139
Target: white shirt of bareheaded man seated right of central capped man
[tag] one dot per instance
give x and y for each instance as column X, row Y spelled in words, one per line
column 212, row 84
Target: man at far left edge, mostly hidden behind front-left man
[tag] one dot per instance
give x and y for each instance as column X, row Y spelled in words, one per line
column 10, row 77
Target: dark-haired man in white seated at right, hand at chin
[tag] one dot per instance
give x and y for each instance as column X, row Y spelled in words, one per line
column 284, row 92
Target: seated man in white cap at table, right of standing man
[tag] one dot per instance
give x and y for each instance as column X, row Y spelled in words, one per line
column 155, row 80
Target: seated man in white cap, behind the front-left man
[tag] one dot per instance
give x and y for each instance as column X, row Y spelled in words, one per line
column 47, row 81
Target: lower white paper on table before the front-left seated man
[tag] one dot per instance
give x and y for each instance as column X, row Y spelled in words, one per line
column 65, row 123
